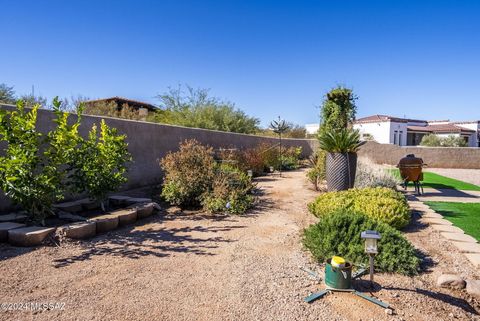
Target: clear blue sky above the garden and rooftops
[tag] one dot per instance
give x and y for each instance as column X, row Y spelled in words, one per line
column 420, row 59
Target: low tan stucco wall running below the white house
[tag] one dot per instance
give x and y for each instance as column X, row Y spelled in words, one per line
column 441, row 157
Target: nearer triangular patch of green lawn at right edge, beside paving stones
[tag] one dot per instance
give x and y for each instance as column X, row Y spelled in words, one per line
column 463, row 215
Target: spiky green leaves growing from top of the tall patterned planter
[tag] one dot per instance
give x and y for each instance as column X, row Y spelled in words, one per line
column 340, row 141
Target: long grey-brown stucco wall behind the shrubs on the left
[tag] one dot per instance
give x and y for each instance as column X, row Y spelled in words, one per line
column 149, row 142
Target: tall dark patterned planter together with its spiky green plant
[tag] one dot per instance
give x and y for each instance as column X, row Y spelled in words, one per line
column 341, row 164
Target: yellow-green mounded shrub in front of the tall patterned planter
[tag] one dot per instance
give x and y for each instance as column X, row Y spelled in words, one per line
column 383, row 204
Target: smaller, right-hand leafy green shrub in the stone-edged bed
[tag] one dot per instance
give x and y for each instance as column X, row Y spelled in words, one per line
column 99, row 165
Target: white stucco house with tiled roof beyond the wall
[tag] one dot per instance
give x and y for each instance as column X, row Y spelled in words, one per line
column 409, row 132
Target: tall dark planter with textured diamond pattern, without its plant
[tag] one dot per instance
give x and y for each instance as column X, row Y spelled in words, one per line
column 341, row 168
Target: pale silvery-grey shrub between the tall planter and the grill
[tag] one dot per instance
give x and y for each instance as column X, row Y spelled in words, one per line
column 370, row 174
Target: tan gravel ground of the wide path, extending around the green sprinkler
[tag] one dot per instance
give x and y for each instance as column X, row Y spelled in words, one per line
column 233, row 268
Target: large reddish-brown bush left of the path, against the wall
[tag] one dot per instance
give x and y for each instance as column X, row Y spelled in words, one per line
column 189, row 173
